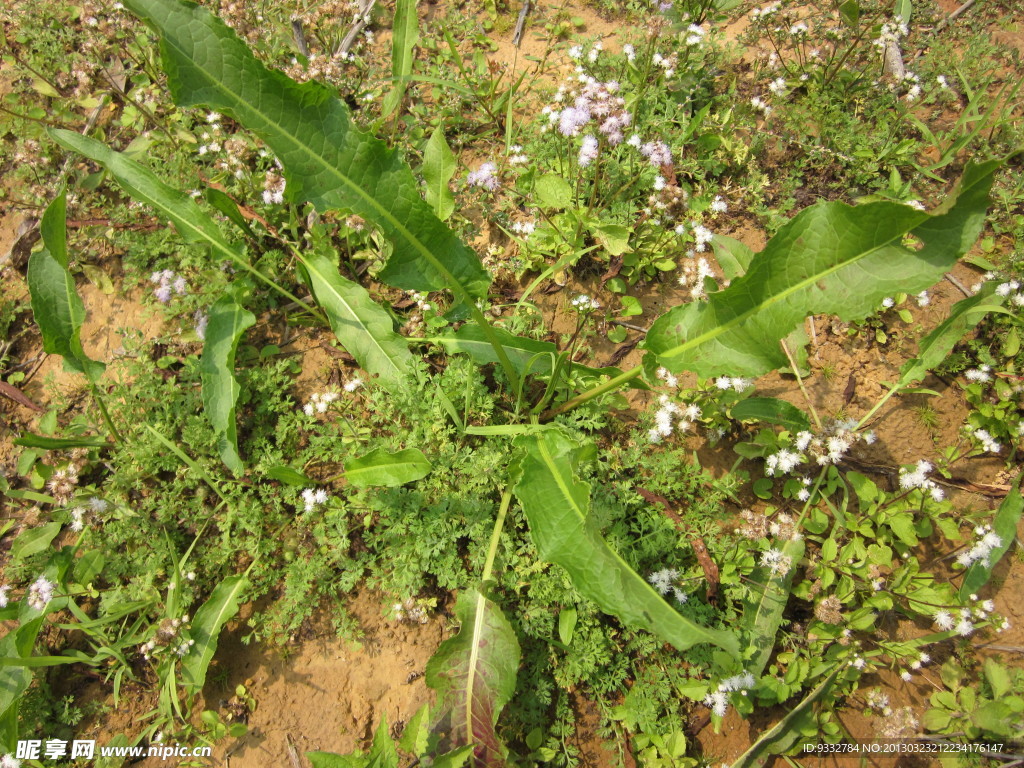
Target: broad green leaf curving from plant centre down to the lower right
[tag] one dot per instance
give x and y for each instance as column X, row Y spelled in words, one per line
column 558, row 505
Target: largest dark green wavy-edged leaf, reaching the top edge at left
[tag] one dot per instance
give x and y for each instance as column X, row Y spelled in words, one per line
column 327, row 161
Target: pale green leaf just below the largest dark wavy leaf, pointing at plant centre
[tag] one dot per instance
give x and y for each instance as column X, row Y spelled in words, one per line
column 361, row 325
